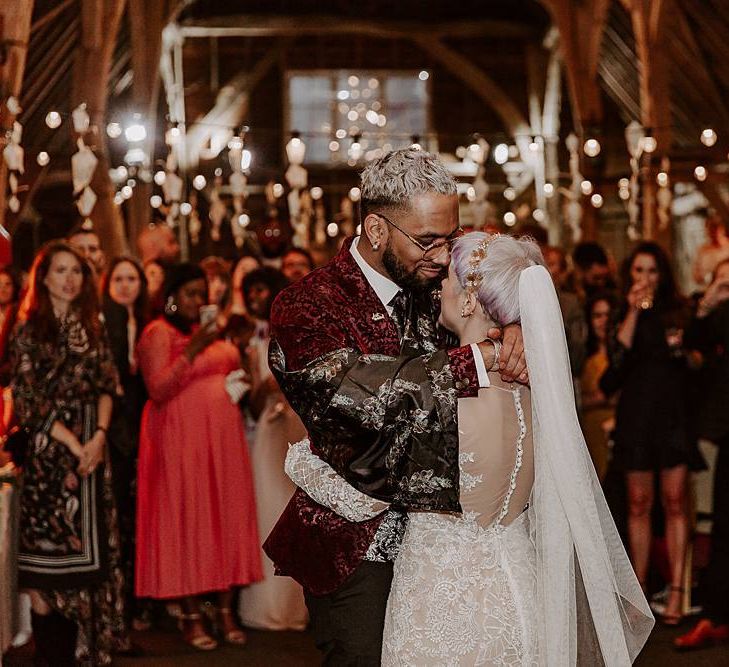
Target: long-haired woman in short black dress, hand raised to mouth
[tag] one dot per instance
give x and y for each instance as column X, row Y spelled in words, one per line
column 652, row 431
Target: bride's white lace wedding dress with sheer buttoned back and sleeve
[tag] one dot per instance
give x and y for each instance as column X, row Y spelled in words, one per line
column 463, row 591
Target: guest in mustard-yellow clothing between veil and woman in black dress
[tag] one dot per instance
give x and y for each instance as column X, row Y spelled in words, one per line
column 598, row 412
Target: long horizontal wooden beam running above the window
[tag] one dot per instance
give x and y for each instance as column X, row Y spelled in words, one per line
column 300, row 26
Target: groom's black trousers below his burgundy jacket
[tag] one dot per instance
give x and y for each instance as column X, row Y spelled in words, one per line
column 347, row 624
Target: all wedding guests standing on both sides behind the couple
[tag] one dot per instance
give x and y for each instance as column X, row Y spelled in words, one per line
column 154, row 433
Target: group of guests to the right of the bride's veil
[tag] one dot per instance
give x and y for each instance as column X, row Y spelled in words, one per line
column 651, row 371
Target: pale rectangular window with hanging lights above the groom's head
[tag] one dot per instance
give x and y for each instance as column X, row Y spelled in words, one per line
column 346, row 118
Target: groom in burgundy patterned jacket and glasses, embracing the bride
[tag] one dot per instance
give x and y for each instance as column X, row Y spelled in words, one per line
column 356, row 350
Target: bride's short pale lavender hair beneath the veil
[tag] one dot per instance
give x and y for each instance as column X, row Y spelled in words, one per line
column 505, row 258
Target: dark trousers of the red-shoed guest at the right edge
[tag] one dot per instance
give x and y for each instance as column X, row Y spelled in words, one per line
column 717, row 579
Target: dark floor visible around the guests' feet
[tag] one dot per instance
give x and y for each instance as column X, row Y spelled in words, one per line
column 289, row 649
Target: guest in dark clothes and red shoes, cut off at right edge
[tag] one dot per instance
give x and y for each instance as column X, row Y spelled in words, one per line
column 709, row 334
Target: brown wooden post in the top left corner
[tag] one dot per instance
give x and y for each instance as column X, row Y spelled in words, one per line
column 15, row 21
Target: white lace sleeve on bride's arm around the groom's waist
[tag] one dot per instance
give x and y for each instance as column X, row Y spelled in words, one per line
column 319, row 481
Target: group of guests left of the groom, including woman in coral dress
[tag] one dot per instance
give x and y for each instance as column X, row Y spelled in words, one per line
column 151, row 436
